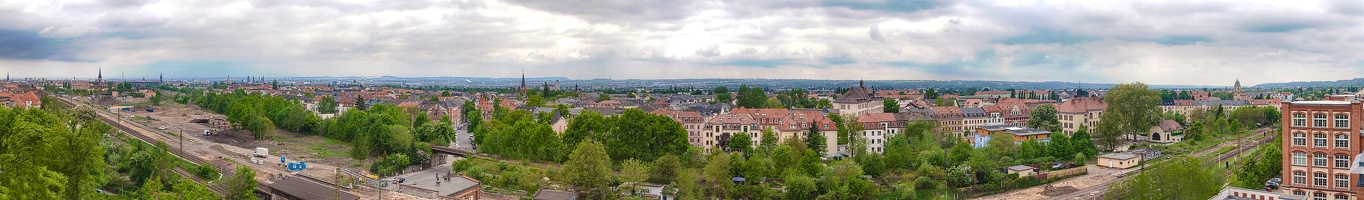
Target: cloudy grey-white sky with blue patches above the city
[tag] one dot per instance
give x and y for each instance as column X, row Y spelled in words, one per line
column 1093, row 41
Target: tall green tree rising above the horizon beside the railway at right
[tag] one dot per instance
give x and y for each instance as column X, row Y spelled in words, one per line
column 1133, row 108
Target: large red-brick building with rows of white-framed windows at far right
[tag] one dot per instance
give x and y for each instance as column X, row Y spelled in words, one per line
column 1321, row 137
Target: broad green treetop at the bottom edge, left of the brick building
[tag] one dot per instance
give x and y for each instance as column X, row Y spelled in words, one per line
column 1196, row 180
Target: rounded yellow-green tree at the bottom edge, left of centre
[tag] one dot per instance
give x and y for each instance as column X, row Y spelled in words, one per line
column 589, row 171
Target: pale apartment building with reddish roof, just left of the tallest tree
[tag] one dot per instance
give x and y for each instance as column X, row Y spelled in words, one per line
column 1081, row 112
